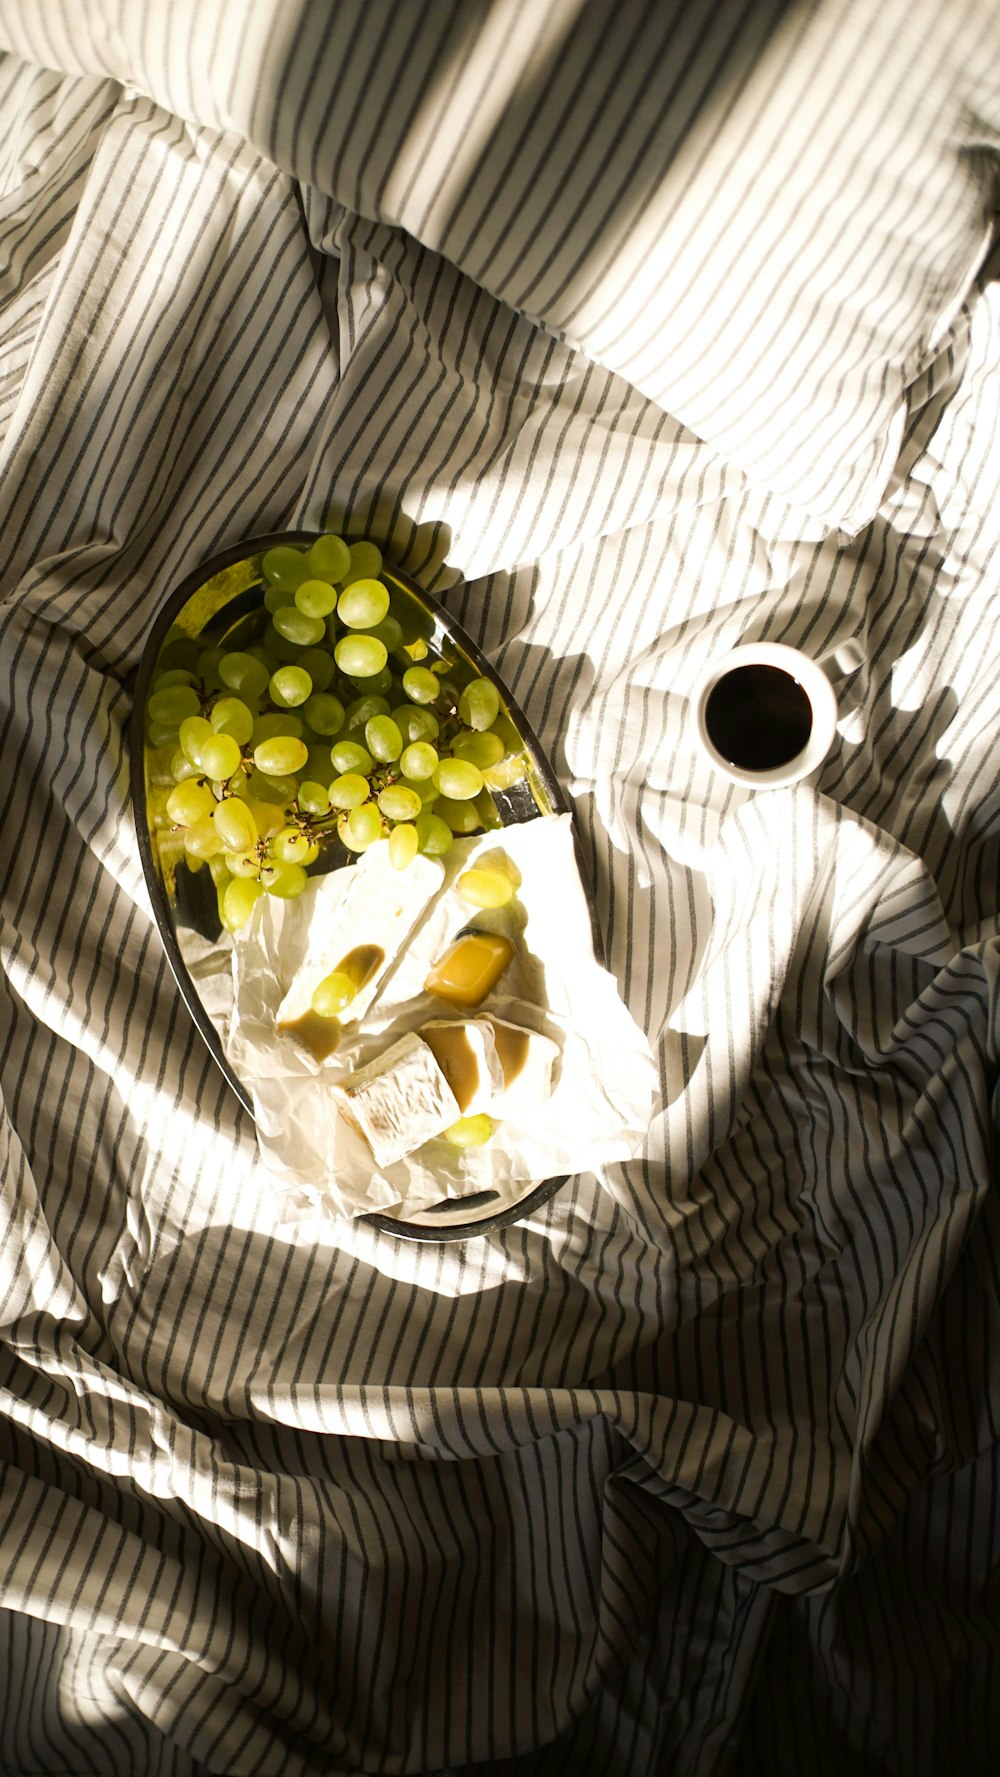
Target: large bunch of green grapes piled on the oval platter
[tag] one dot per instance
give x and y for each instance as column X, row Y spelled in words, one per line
column 328, row 729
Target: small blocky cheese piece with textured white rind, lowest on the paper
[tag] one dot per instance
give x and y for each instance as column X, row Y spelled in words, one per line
column 399, row 1101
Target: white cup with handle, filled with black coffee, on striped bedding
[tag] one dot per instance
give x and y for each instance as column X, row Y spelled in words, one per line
column 766, row 715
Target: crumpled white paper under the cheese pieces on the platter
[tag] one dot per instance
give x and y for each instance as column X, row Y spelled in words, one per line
column 607, row 1080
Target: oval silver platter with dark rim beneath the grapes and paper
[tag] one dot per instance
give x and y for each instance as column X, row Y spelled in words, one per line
column 221, row 602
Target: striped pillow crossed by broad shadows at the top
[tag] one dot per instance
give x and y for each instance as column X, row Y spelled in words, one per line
column 763, row 214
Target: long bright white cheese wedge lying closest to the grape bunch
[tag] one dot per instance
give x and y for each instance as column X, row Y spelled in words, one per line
column 381, row 907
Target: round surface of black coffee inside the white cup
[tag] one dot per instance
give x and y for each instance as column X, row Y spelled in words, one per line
column 759, row 717
